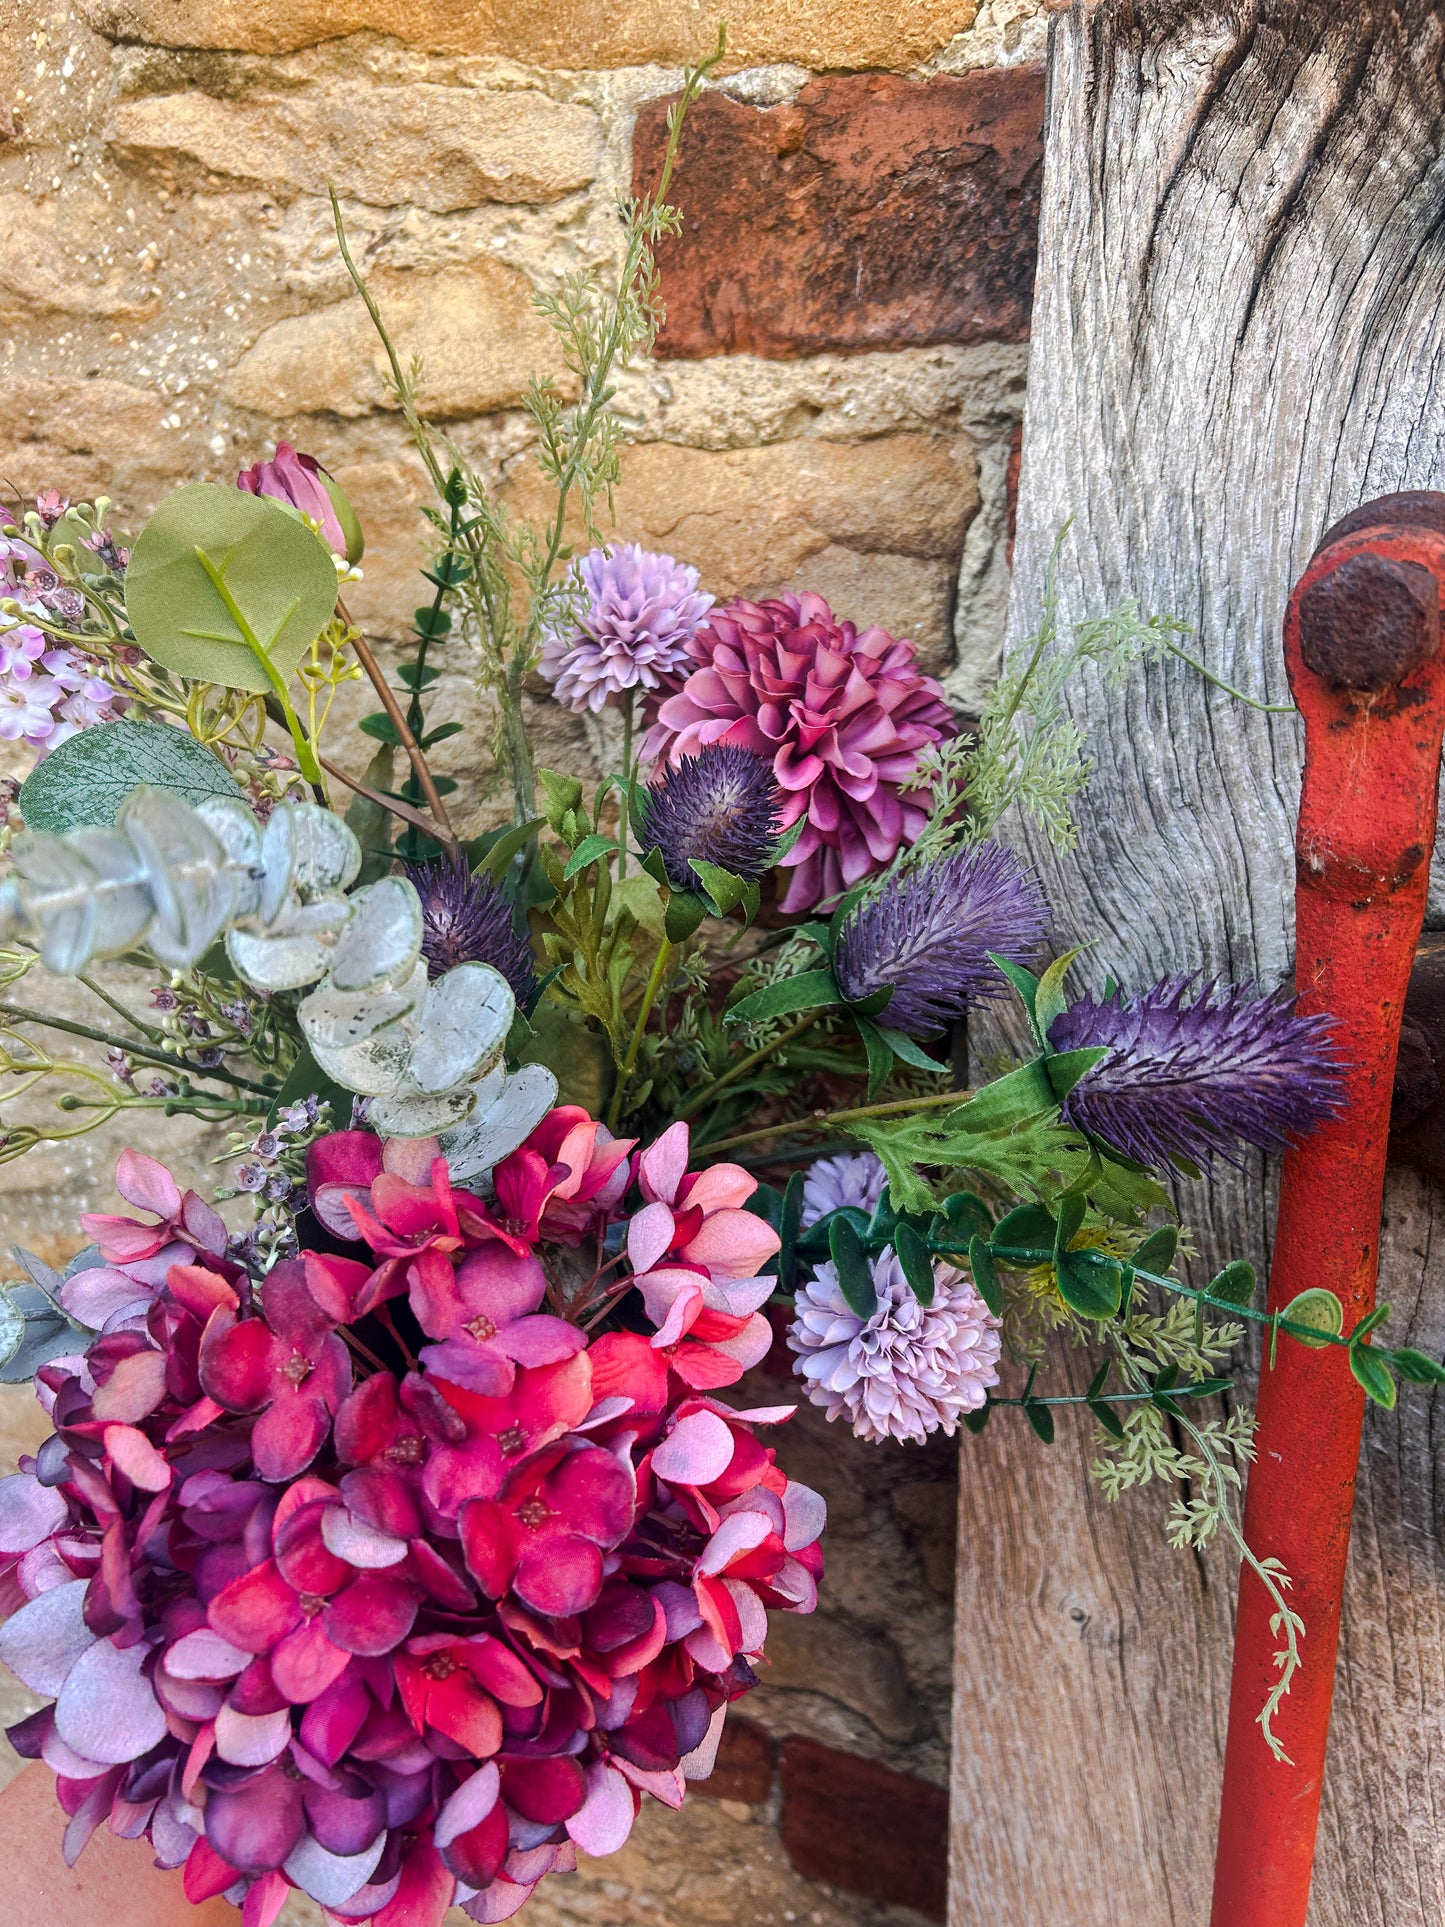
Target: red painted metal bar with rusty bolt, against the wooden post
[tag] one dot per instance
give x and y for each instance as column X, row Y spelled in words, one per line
column 1363, row 645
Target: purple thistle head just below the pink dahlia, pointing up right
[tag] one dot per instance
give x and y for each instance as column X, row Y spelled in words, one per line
column 928, row 937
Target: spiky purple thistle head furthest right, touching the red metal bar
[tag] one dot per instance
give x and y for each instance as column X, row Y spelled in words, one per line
column 1192, row 1080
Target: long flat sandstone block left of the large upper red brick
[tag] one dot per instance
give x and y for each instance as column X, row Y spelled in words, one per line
column 431, row 147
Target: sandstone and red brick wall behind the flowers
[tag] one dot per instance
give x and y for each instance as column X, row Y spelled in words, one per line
column 833, row 406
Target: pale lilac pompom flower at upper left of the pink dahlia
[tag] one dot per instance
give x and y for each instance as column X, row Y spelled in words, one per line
column 633, row 631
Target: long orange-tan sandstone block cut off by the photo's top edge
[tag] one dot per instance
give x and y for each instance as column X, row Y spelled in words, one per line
column 560, row 34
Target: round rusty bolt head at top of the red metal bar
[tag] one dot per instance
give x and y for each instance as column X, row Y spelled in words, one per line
column 1371, row 623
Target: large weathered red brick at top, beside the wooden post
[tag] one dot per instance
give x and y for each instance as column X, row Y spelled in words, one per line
column 868, row 213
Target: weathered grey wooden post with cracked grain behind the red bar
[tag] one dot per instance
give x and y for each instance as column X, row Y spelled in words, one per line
column 1238, row 340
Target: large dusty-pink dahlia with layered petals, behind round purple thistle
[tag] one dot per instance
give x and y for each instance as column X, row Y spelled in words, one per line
column 841, row 716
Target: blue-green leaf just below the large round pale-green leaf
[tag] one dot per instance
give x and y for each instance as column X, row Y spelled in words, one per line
column 84, row 783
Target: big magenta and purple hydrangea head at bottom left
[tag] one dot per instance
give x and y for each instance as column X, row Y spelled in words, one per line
column 404, row 1637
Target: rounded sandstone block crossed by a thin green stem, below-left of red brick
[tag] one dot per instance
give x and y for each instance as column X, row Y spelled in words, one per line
column 475, row 329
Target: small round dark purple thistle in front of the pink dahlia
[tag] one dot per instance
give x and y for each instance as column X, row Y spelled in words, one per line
column 720, row 806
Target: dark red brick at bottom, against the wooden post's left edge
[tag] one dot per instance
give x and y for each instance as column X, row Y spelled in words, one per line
column 864, row 1828
